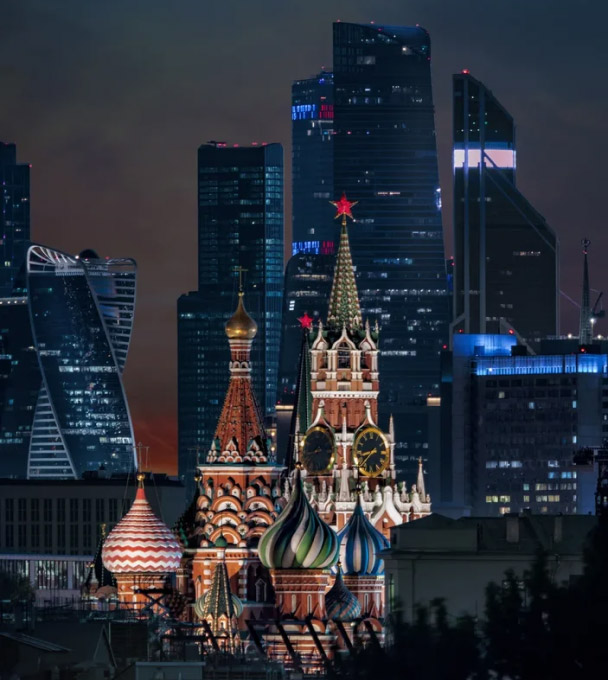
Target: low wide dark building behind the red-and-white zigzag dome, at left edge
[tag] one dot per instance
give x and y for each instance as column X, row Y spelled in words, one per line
column 51, row 530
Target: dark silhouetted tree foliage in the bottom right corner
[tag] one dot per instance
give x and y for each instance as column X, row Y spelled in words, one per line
column 533, row 629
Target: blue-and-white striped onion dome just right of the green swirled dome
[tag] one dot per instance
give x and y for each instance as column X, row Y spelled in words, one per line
column 360, row 543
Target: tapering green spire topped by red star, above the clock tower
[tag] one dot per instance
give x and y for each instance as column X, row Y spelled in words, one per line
column 344, row 307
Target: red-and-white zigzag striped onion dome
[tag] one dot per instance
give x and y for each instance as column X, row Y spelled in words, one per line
column 140, row 542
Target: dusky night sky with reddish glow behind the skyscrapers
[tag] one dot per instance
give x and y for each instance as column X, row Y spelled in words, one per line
column 109, row 101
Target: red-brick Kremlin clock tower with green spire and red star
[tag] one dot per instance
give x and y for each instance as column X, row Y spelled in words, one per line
column 338, row 439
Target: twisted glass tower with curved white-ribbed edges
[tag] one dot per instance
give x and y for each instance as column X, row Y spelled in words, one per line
column 81, row 312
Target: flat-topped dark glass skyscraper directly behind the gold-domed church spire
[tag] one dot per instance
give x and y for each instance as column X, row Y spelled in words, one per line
column 240, row 226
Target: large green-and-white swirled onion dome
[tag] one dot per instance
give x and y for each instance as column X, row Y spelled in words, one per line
column 299, row 538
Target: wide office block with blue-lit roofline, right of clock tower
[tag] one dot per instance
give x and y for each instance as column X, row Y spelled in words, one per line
column 517, row 421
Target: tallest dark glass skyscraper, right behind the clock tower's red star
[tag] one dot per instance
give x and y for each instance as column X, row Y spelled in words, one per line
column 385, row 158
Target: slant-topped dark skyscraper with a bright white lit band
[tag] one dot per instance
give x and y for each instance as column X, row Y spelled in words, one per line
column 506, row 255
